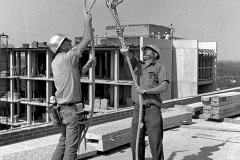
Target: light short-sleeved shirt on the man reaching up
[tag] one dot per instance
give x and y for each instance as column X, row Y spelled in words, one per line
column 66, row 77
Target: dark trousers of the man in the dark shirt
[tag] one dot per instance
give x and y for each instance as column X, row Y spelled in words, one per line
column 153, row 124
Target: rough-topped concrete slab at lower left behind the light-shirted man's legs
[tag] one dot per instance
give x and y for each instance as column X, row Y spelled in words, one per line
column 39, row 149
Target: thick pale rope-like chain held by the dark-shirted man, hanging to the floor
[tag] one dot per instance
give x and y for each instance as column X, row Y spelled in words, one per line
column 112, row 4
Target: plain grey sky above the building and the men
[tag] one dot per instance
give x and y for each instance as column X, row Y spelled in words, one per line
column 218, row 21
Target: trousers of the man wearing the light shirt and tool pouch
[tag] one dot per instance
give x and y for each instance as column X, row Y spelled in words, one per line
column 68, row 141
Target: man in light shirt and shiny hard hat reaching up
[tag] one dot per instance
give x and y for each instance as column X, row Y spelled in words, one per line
column 68, row 94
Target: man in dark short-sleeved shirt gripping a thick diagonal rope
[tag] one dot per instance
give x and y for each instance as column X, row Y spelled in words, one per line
column 152, row 81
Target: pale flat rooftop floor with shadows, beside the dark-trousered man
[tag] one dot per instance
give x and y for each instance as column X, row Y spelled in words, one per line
column 190, row 144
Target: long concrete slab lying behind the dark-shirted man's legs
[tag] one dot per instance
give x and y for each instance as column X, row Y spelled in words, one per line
column 113, row 134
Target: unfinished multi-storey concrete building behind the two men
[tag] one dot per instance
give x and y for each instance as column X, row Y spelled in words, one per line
column 27, row 82
